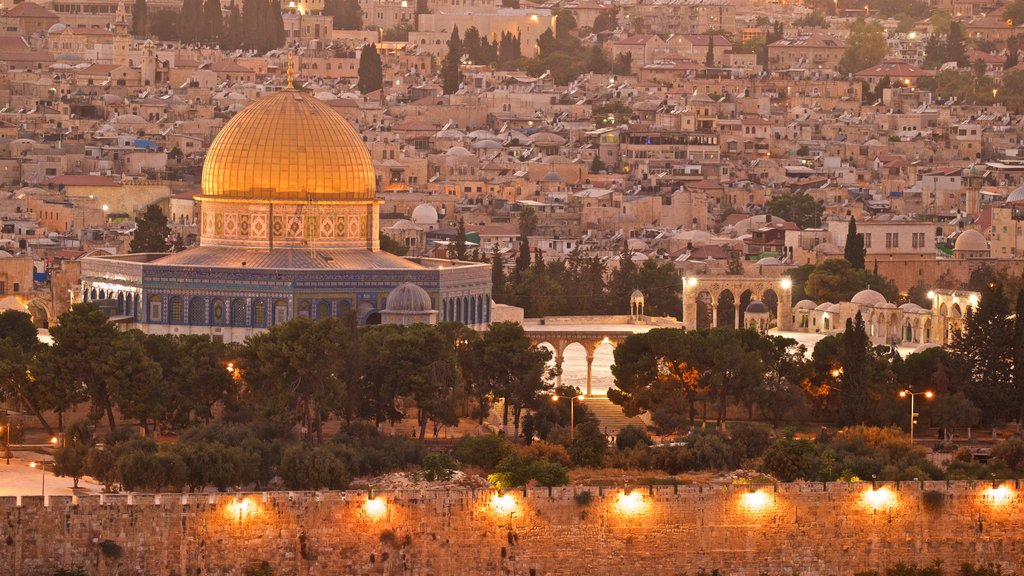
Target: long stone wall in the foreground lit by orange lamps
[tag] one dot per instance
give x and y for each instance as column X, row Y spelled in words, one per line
column 803, row 529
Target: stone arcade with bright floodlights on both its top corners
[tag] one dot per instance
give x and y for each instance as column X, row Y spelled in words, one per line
column 764, row 290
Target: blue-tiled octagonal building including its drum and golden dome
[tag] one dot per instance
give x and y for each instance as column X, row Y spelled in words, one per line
column 289, row 228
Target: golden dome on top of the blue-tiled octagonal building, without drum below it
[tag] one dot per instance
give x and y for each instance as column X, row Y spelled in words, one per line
column 289, row 146
